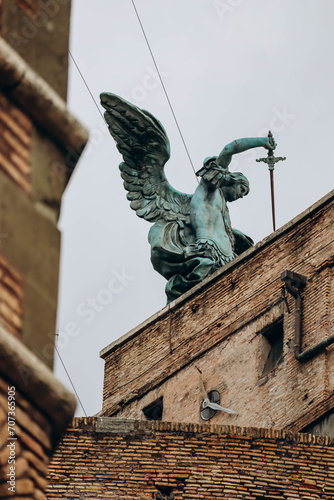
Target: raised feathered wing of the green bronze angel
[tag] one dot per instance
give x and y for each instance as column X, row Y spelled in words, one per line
column 144, row 145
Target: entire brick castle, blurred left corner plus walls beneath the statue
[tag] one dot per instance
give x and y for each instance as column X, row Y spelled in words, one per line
column 266, row 352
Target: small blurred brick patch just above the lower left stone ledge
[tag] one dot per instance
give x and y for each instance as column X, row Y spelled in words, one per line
column 11, row 297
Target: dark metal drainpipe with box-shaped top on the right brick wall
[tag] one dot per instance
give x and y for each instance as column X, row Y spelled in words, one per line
column 294, row 284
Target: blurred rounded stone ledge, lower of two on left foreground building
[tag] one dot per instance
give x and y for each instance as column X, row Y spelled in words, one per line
column 33, row 379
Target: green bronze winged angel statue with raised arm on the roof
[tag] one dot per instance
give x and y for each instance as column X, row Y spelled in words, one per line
column 191, row 236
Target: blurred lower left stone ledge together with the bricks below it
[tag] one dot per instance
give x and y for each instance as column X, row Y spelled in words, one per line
column 34, row 411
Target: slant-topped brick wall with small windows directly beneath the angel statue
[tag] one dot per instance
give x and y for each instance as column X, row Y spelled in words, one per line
column 218, row 330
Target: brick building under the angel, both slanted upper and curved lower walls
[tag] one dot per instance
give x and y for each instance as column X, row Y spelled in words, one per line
column 257, row 337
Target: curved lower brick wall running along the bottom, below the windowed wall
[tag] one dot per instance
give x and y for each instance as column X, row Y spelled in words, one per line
column 138, row 459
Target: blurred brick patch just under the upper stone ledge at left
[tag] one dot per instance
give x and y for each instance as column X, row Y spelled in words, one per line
column 15, row 139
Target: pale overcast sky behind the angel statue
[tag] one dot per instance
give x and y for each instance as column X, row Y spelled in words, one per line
column 232, row 69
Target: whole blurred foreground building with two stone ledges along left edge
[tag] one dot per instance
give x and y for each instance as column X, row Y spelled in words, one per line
column 37, row 136
